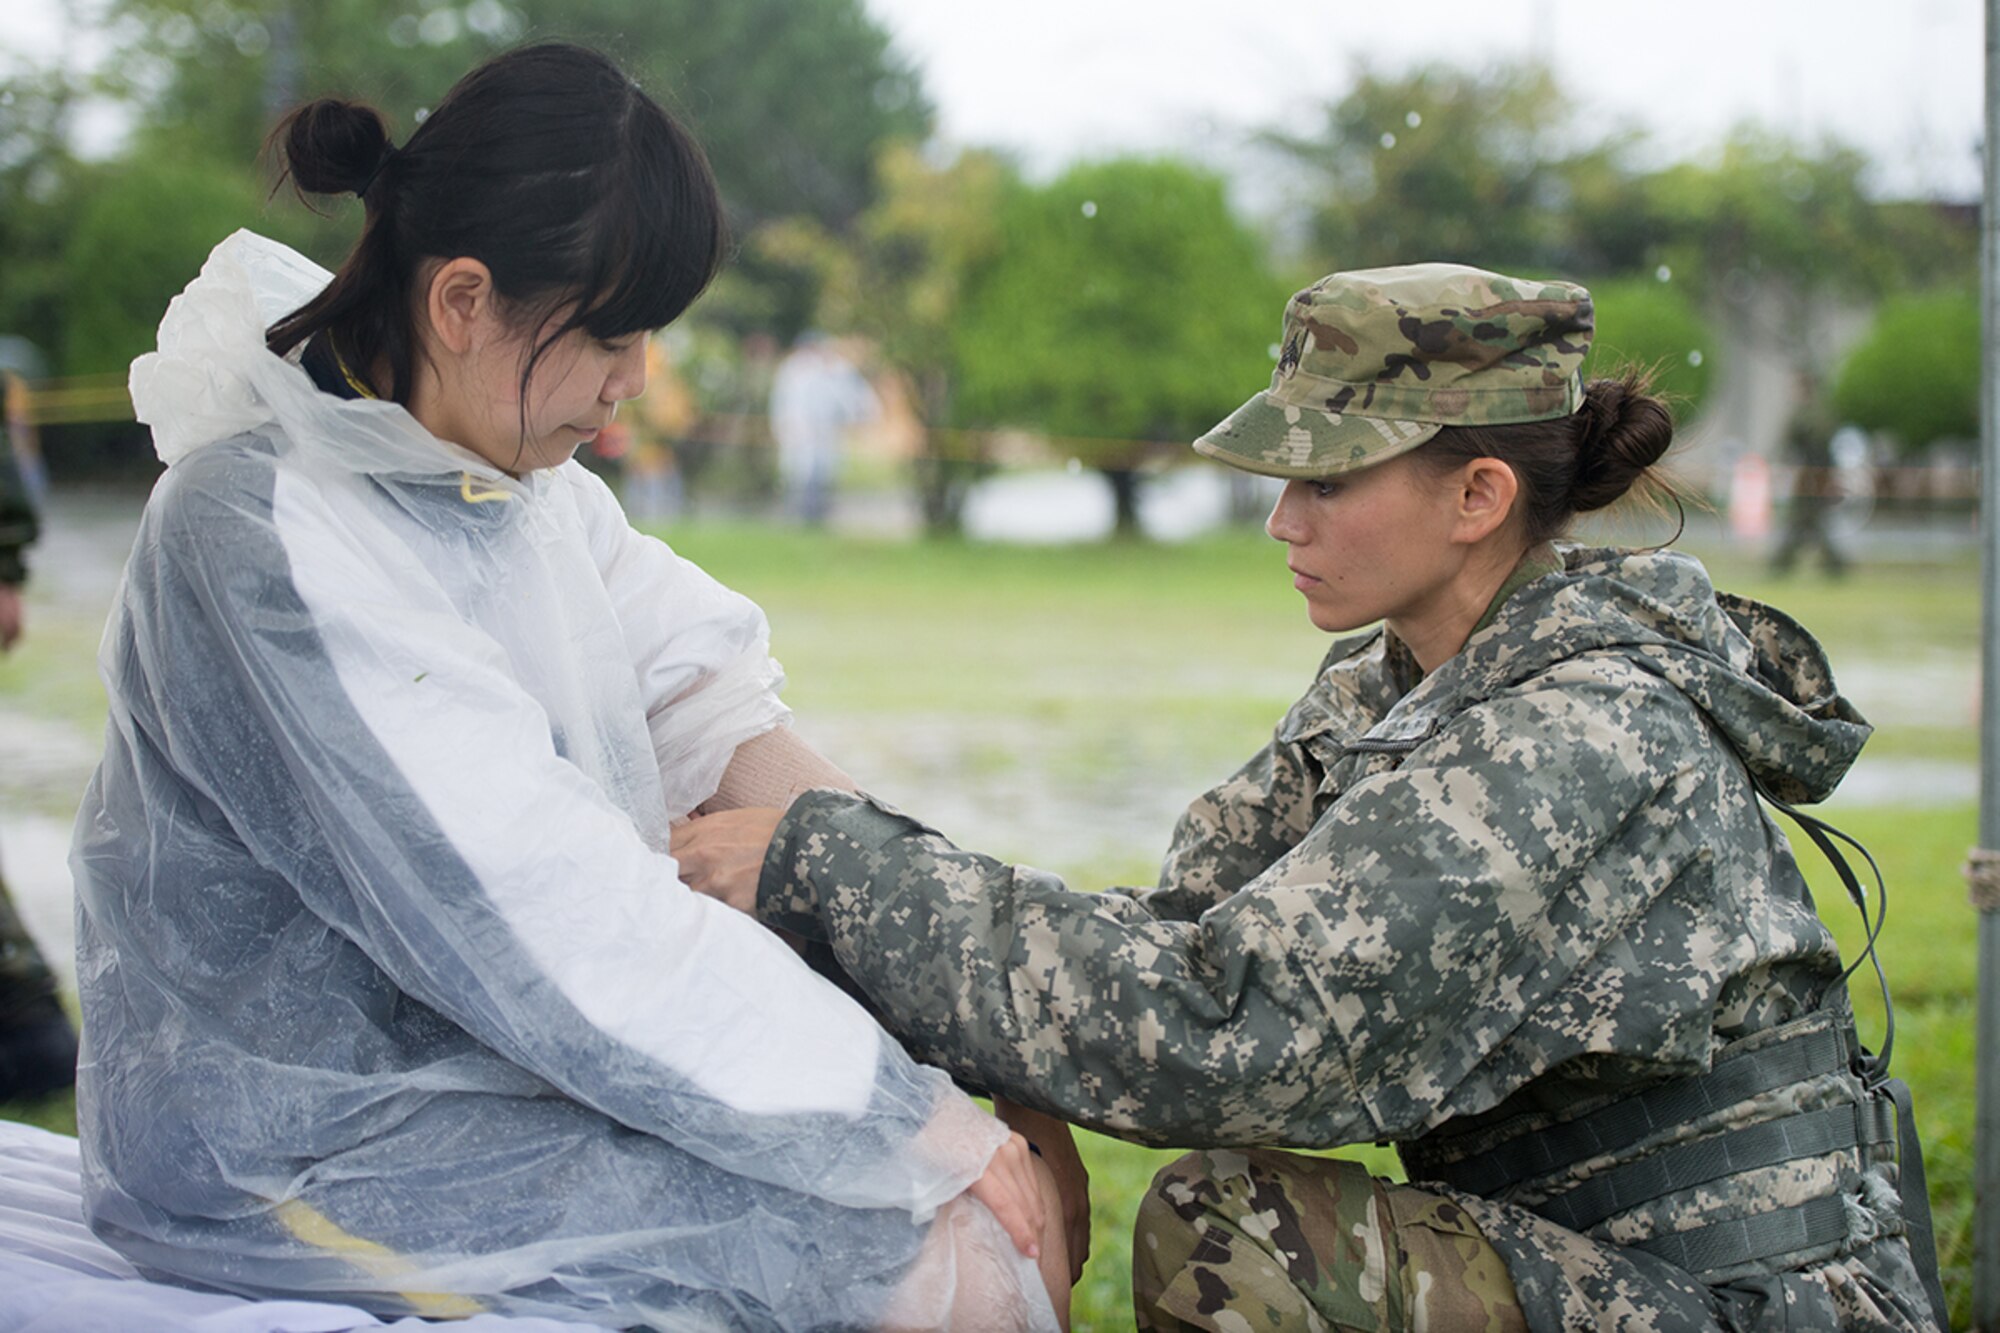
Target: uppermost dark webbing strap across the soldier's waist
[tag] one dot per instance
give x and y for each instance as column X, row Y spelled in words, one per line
column 1731, row 1080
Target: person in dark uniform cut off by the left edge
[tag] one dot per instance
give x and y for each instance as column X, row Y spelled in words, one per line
column 37, row 1044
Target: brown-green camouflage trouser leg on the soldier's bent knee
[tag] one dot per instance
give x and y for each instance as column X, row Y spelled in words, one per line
column 1263, row 1240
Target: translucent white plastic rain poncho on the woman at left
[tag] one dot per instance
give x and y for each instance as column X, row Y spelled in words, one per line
column 391, row 990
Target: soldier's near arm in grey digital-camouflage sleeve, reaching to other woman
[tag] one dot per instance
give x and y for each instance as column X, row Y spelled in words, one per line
column 1355, row 990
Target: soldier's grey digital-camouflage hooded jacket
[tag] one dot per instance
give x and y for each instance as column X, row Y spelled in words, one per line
column 1519, row 886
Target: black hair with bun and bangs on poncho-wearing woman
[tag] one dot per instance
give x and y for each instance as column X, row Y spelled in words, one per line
column 551, row 167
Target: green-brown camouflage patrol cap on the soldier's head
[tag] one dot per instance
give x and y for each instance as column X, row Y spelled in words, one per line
column 1377, row 361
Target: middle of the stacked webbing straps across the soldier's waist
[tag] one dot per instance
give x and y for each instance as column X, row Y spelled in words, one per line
column 1685, row 1166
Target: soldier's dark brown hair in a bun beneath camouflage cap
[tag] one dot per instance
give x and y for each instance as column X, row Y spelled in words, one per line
column 1595, row 457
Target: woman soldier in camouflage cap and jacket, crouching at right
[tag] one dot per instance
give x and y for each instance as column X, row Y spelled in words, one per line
column 1499, row 890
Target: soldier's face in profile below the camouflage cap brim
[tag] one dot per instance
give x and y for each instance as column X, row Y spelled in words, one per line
column 1373, row 545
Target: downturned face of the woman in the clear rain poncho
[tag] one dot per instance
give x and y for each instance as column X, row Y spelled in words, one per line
column 571, row 397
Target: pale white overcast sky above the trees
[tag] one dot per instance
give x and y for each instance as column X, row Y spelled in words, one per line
column 1065, row 79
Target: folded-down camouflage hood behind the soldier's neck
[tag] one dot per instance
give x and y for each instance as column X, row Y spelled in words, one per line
column 1753, row 672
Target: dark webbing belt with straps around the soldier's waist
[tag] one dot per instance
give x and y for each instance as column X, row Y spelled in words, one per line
column 1869, row 1126
